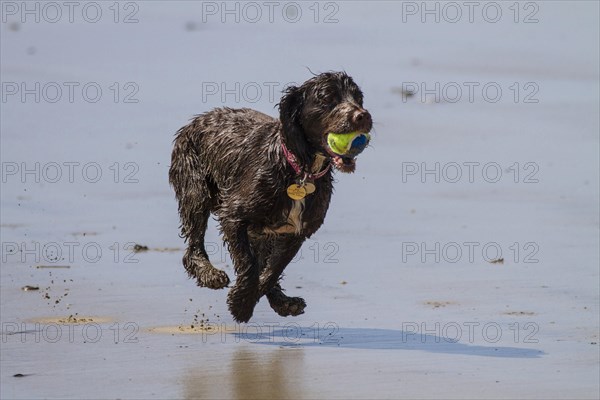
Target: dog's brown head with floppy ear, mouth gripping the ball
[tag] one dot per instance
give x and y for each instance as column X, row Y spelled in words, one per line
column 328, row 103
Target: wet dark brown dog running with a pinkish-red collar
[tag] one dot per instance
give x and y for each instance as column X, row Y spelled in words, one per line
column 268, row 182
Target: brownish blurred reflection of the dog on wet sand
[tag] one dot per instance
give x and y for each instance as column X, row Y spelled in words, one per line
column 248, row 374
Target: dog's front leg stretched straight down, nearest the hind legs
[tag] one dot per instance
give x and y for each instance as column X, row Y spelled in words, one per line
column 244, row 295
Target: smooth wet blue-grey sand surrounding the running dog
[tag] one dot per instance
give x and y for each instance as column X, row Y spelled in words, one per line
column 389, row 315
